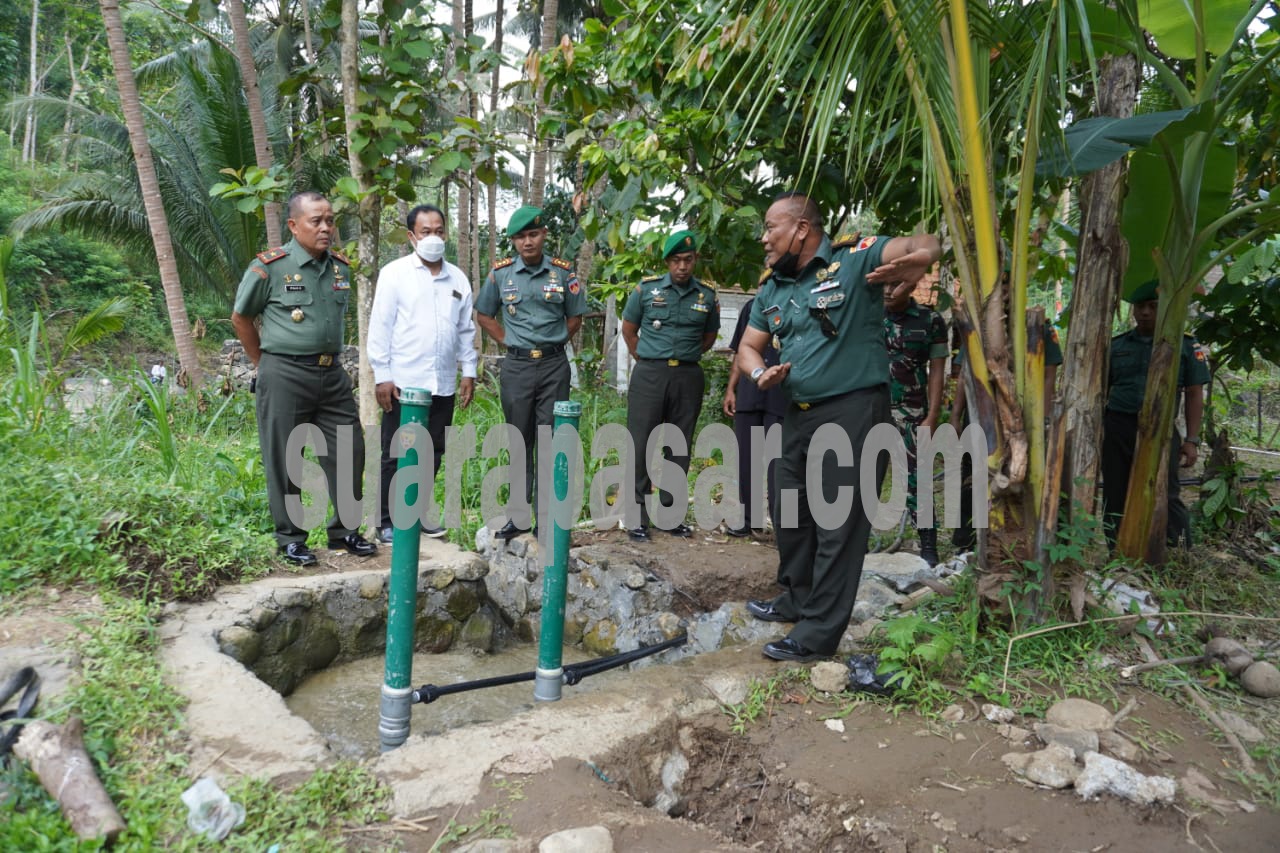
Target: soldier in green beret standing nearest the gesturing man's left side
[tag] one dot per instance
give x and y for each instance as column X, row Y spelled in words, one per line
column 669, row 323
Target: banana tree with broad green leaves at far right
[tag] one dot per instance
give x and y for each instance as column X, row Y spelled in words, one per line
column 1181, row 202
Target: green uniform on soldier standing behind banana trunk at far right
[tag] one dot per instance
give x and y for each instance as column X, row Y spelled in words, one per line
column 1127, row 384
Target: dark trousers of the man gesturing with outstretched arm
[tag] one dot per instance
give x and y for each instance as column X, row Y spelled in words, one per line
column 820, row 567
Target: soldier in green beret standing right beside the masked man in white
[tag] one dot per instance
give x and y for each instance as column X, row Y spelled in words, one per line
column 532, row 305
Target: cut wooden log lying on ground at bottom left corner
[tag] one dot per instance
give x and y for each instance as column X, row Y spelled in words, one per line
column 57, row 754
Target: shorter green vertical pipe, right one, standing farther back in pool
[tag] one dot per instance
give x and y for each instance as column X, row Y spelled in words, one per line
column 551, row 641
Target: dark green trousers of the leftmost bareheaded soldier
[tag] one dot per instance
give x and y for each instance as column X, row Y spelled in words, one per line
column 292, row 394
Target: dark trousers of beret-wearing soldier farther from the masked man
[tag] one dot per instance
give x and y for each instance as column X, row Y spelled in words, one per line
column 660, row 394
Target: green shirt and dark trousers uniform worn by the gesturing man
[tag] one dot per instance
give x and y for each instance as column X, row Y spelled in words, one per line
column 829, row 323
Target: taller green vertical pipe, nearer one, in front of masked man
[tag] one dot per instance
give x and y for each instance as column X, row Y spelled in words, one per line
column 397, row 700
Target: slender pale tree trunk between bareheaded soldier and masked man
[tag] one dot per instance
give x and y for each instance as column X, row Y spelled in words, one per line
column 371, row 207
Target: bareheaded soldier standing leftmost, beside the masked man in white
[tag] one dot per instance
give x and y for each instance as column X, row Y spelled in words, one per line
column 300, row 294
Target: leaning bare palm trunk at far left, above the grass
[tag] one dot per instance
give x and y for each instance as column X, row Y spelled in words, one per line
column 190, row 372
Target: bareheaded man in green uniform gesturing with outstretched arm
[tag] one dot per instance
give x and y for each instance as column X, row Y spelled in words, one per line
column 822, row 304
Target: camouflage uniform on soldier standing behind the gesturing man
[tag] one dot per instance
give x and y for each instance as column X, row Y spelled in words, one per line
column 915, row 336
